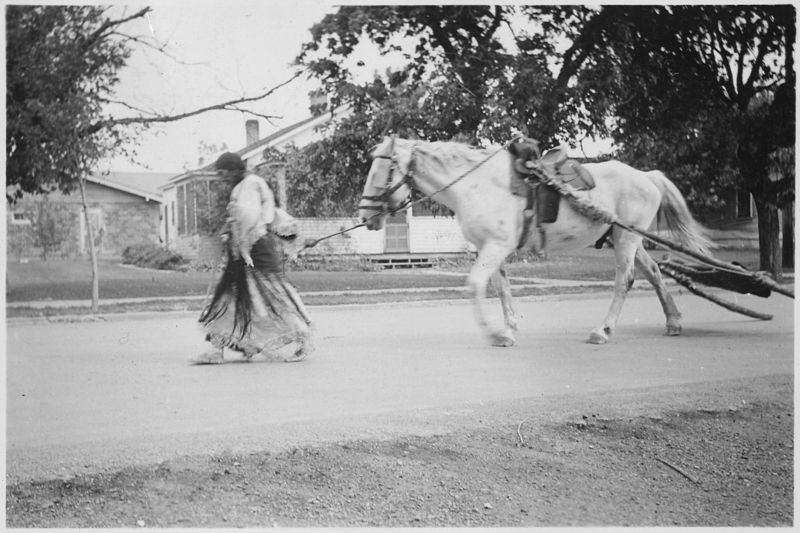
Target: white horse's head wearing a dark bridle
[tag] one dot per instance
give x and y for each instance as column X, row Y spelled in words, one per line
column 387, row 188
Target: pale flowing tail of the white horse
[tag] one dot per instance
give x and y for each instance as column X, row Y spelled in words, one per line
column 674, row 212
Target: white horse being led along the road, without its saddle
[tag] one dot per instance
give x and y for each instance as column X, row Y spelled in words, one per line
column 476, row 185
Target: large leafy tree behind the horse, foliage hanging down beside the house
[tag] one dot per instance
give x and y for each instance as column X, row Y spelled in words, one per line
column 458, row 81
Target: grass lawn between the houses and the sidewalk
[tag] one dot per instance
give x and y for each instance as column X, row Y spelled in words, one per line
column 71, row 280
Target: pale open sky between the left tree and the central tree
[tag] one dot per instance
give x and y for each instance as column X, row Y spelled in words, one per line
column 218, row 51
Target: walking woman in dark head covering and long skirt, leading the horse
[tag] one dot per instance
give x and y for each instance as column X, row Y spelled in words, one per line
column 254, row 309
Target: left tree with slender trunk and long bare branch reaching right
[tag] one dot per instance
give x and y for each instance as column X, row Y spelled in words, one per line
column 61, row 72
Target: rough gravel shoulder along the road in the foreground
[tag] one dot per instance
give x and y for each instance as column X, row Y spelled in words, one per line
column 709, row 454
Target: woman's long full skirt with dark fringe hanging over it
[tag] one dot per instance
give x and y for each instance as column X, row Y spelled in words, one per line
column 256, row 309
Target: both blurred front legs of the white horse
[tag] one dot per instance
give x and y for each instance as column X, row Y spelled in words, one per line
column 489, row 260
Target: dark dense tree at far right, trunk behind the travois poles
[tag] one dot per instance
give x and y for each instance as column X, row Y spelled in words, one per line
column 713, row 87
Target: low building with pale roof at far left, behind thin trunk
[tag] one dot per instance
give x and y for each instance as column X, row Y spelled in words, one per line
column 124, row 209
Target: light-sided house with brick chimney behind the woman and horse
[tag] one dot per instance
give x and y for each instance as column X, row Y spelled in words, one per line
column 189, row 195
